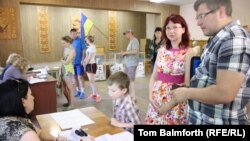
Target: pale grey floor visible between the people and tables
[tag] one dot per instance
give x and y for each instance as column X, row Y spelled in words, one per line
column 106, row 104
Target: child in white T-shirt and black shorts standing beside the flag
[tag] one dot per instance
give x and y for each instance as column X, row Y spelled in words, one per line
column 91, row 67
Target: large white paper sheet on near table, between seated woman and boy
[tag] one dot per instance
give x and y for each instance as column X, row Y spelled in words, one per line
column 72, row 118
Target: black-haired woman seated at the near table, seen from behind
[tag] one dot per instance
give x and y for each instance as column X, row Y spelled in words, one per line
column 16, row 102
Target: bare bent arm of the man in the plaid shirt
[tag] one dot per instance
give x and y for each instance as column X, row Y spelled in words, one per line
column 224, row 91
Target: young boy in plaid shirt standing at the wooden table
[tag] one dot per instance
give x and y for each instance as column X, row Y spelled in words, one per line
column 125, row 112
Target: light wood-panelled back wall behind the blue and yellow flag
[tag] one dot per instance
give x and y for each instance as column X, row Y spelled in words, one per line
column 60, row 24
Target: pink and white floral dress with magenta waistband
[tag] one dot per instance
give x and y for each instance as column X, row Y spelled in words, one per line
column 170, row 70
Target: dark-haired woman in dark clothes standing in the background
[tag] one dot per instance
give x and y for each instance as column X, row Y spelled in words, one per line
column 154, row 45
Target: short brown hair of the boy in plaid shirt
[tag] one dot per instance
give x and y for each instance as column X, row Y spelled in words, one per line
column 121, row 79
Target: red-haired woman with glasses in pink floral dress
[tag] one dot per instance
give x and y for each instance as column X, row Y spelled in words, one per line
column 172, row 67
